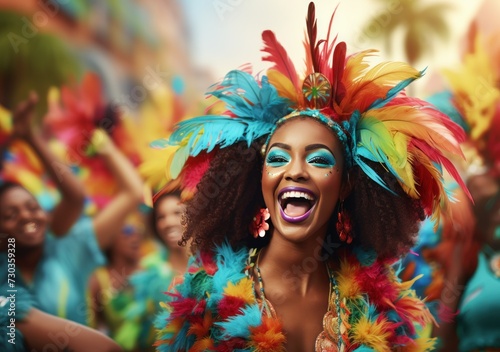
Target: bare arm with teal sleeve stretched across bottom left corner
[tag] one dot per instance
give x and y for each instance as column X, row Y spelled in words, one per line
column 25, row 328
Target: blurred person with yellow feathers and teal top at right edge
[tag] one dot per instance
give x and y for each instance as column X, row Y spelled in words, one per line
column 472, row 278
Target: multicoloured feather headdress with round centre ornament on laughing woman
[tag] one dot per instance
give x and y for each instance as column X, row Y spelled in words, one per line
column 366, row 106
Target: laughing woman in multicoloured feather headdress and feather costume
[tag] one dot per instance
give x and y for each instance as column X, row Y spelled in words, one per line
column 347, row 166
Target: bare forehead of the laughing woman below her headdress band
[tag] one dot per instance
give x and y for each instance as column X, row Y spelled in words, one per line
column 301, row 131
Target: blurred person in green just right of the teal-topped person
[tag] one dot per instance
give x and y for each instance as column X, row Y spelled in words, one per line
column 112, row 295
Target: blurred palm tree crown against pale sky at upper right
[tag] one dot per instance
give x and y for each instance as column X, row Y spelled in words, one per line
column 420, row 24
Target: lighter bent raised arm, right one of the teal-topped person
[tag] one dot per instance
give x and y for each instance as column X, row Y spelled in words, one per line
column 108, row 222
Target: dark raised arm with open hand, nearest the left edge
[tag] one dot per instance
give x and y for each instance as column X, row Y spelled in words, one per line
column 69, row 209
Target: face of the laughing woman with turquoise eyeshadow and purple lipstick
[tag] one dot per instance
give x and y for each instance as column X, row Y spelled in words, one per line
column 302, row 177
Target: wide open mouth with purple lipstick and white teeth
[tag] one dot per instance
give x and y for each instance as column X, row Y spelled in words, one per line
column 296, row 204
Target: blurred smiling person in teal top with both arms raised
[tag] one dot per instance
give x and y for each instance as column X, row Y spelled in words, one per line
column 56, row 253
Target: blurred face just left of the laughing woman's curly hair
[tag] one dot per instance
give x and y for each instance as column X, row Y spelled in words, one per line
column 168, row 211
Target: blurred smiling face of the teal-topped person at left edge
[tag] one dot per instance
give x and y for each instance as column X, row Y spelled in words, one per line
column 22, row 218
